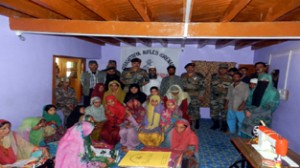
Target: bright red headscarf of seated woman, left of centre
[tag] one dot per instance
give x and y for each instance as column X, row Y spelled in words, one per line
column 118, row 110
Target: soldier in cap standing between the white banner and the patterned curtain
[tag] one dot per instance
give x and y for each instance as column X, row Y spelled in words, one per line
column 193, row 84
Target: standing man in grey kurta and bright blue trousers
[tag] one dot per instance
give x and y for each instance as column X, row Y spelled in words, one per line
column 236, row 98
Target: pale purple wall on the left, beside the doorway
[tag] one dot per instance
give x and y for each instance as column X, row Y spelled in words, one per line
column 26, row 70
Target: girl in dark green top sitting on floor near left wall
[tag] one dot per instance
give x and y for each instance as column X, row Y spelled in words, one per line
column 53, row 120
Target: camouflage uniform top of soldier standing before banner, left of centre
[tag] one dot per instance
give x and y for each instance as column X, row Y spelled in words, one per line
column 129, row 77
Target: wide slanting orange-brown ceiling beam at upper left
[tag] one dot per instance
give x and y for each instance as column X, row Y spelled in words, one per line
column 69, row 8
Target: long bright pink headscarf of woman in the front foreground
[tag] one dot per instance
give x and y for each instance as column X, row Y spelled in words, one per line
column 70, row 150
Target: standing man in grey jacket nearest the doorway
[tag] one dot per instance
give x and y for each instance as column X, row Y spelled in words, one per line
column 89, row 79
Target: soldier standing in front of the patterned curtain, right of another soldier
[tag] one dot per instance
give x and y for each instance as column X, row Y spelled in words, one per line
column 219, row 87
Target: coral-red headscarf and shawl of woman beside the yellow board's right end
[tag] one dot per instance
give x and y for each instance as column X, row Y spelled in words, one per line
column 181, row 141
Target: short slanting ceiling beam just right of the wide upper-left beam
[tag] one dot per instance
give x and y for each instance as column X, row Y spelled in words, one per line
column 99, row 8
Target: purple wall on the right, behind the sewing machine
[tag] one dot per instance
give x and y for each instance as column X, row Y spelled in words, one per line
column 286, row 117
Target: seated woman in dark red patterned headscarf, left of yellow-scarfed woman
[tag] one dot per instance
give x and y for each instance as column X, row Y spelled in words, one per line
column 128, row 132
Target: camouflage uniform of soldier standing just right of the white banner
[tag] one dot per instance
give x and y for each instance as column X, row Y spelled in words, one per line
column 194, row 86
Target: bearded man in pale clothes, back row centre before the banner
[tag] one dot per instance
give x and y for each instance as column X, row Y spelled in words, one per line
column 154, row 80
